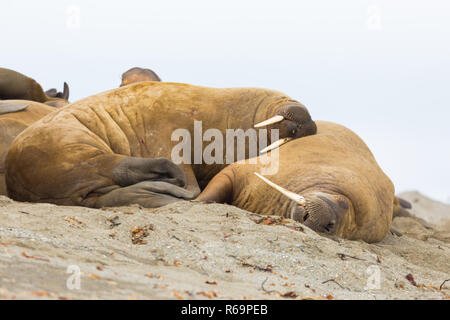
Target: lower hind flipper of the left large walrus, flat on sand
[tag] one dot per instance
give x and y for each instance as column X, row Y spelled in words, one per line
column 149, row 194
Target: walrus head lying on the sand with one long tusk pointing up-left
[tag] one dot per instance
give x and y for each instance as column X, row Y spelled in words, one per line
column 322, row 212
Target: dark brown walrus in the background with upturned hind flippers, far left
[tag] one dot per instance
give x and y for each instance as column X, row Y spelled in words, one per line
column 14, row 85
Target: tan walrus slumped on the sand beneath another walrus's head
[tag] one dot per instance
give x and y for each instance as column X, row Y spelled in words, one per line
column 345, row 191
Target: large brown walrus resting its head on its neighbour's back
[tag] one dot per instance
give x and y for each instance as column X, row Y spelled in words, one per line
column 107, row 150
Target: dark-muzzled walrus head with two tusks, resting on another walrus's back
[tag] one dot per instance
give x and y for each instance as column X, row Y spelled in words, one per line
column 293, row 121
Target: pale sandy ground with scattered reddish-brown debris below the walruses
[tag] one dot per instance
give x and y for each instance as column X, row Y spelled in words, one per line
column 190, row 250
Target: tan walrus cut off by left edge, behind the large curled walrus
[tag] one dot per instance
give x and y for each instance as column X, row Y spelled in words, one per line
column 11, row 124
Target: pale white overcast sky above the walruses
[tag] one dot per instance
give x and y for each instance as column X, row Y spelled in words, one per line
column 379, row 67
